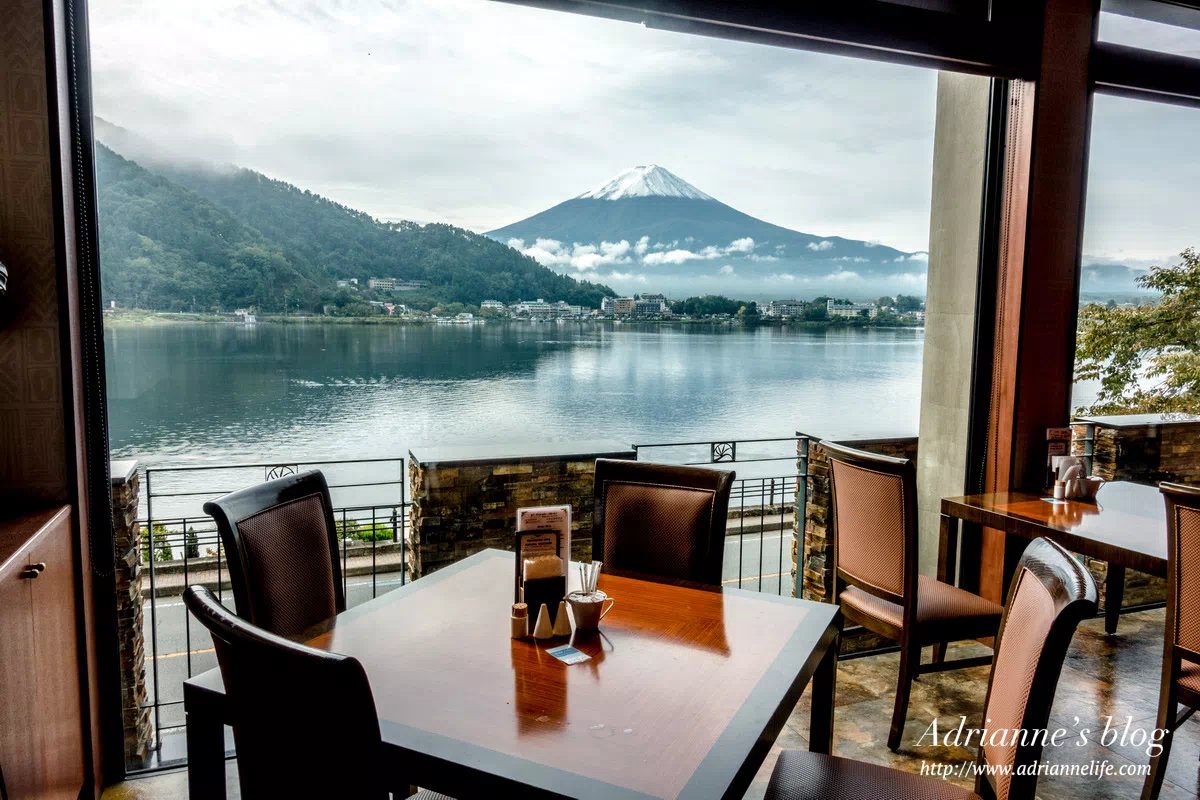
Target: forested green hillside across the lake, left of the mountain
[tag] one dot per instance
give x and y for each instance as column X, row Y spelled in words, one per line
column 183, row 239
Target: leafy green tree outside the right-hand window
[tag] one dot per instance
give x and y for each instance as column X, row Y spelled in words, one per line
column 1148, row 357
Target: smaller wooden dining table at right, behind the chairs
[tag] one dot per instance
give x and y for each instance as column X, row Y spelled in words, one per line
column 1126, row 527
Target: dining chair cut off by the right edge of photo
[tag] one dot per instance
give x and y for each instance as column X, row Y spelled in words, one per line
column 1181, row 654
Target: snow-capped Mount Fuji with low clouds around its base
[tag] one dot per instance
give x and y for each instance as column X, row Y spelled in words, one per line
column 647, row 230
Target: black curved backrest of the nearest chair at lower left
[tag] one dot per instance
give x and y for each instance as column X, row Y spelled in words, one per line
column 304, row 720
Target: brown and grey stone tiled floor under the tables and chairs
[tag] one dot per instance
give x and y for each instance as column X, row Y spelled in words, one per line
column 1105, row 677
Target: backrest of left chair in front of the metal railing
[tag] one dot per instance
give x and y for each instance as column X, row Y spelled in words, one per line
column 281, row 545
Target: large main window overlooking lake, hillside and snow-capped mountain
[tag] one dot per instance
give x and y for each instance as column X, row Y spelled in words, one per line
column 332, row 233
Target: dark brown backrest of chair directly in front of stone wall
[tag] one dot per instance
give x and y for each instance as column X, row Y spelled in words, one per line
column 662, row 520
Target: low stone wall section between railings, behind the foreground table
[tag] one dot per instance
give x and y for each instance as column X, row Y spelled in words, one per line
column 464, row 504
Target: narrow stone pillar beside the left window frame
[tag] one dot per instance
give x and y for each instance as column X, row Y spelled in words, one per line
column 136, row 717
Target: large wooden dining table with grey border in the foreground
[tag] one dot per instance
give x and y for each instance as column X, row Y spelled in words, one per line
column 683, row 696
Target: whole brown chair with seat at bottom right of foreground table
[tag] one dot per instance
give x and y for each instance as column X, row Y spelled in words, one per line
column 1052, row 594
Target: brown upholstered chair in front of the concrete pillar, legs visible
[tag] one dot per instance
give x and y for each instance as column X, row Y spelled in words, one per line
column 877, row 581
